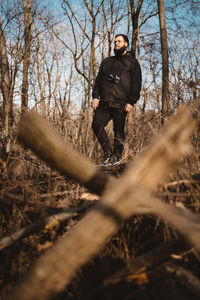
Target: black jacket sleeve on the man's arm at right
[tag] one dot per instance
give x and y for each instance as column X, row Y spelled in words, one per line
column 136, row 82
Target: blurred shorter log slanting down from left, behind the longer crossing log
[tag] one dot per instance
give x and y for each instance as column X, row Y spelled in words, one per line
column 36, row 134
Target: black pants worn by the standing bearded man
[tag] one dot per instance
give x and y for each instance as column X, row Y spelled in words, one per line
column 103, row 114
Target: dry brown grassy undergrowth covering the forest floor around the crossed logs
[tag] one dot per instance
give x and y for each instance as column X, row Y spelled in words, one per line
column 30, row 191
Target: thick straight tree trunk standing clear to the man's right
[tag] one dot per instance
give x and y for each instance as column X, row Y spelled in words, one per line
column 165, row 63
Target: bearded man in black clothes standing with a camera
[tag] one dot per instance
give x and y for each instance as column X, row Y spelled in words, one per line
column 116, row 90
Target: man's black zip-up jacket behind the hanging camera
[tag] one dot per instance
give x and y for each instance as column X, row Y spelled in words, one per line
column 127, row 90
